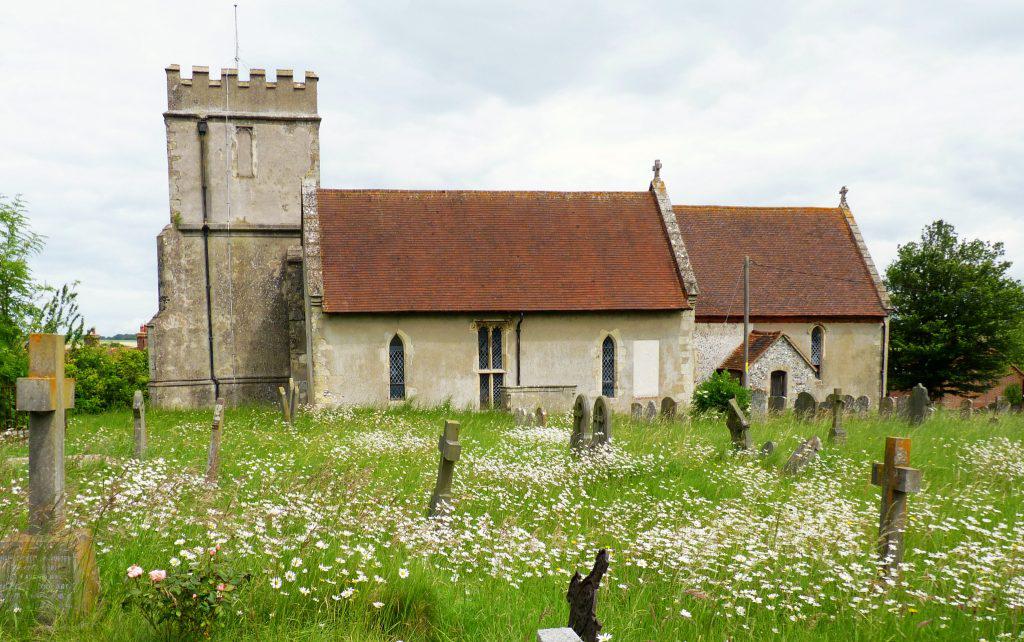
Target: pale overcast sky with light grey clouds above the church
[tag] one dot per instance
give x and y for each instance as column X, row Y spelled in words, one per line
column 919, row 108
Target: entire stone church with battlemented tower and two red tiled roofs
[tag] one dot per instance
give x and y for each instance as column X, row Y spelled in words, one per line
column 478, row 298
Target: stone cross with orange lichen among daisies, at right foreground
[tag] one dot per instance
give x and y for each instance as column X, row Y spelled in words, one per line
column 898, row 481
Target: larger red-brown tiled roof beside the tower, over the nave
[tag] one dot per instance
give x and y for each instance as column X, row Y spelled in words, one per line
column 495, row 251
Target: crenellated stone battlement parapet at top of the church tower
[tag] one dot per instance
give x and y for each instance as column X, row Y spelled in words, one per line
column 204, row 95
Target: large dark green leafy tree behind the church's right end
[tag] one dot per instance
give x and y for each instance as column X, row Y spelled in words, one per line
column 958, row 321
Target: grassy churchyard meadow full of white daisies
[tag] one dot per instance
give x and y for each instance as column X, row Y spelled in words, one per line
column 328, row 519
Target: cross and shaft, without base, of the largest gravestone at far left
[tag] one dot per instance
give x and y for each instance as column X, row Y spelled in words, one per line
column 46, row 395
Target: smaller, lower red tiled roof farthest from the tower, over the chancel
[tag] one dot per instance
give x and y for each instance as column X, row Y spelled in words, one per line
column 805, row 262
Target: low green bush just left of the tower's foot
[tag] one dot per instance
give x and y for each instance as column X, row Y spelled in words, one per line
column 107, row 378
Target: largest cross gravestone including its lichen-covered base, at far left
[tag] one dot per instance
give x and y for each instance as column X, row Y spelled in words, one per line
column 47, row 565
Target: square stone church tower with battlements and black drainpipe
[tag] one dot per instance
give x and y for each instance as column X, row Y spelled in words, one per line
column 238, row 153
